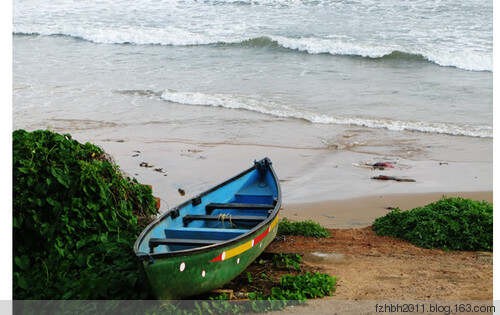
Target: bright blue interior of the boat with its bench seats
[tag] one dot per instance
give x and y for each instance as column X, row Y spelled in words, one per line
column 224, row 213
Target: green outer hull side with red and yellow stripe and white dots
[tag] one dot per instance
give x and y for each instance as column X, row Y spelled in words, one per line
column 187, row 275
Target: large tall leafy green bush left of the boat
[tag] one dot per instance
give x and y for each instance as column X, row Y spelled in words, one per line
column 74, row 221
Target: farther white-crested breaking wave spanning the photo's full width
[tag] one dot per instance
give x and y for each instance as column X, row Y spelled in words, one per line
column 467, row 60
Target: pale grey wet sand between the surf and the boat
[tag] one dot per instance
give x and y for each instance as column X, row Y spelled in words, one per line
column 311, row 175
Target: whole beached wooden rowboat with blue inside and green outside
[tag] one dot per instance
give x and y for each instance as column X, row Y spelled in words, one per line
column 210, row 239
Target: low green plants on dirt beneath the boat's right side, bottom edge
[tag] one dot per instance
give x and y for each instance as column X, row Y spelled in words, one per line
column 271, row 282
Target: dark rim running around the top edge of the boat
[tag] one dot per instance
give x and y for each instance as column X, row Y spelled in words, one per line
column 202, row 249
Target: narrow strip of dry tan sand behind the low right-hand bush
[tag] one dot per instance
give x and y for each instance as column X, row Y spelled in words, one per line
column 354, row 212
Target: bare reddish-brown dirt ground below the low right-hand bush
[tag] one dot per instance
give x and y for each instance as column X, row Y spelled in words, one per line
column 371, row 267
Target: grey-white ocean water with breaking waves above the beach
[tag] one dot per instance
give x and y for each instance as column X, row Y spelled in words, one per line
column 292, row 73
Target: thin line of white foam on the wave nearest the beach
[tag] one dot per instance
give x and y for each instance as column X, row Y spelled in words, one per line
column 284, row 111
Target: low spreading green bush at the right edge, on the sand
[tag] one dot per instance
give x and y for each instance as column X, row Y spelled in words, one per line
column 450, row 223
